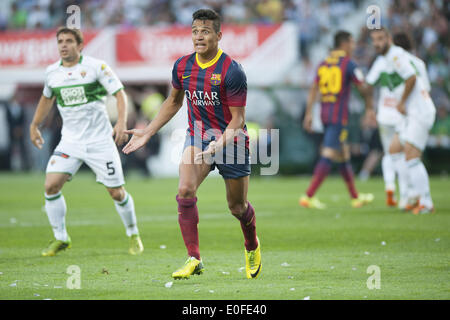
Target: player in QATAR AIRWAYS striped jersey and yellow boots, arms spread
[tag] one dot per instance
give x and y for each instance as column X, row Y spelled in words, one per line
column 216, row 88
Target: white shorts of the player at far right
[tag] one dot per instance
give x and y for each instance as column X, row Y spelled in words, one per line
column 416, row 131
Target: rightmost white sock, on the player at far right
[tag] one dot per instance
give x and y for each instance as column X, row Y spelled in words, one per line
column 419, row 182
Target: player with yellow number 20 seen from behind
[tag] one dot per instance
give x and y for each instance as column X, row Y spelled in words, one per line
column 334, row 77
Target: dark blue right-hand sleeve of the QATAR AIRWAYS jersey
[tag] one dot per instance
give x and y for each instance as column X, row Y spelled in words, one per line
column 236, row 85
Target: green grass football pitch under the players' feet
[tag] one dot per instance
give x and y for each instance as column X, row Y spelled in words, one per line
column 329, row 254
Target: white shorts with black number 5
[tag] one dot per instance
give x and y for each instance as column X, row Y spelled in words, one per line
column 102, row 157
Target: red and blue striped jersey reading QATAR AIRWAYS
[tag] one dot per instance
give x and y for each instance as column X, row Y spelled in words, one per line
column 210, row 90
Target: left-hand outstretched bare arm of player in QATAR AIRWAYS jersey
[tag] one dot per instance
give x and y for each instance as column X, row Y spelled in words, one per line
column 168, row 109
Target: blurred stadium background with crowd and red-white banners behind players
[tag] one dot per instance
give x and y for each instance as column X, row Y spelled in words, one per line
column 279, row 43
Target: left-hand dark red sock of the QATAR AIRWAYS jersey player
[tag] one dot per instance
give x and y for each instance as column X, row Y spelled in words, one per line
column 188, row 220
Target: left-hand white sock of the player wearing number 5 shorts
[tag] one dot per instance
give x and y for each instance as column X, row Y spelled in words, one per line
column 55, row 206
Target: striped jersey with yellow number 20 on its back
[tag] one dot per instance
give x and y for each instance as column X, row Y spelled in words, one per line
column 334, row 77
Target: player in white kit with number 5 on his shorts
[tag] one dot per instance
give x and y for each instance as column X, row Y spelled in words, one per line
column 79, row 85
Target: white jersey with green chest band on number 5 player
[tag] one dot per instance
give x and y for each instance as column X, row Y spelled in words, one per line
column 80, row 93
